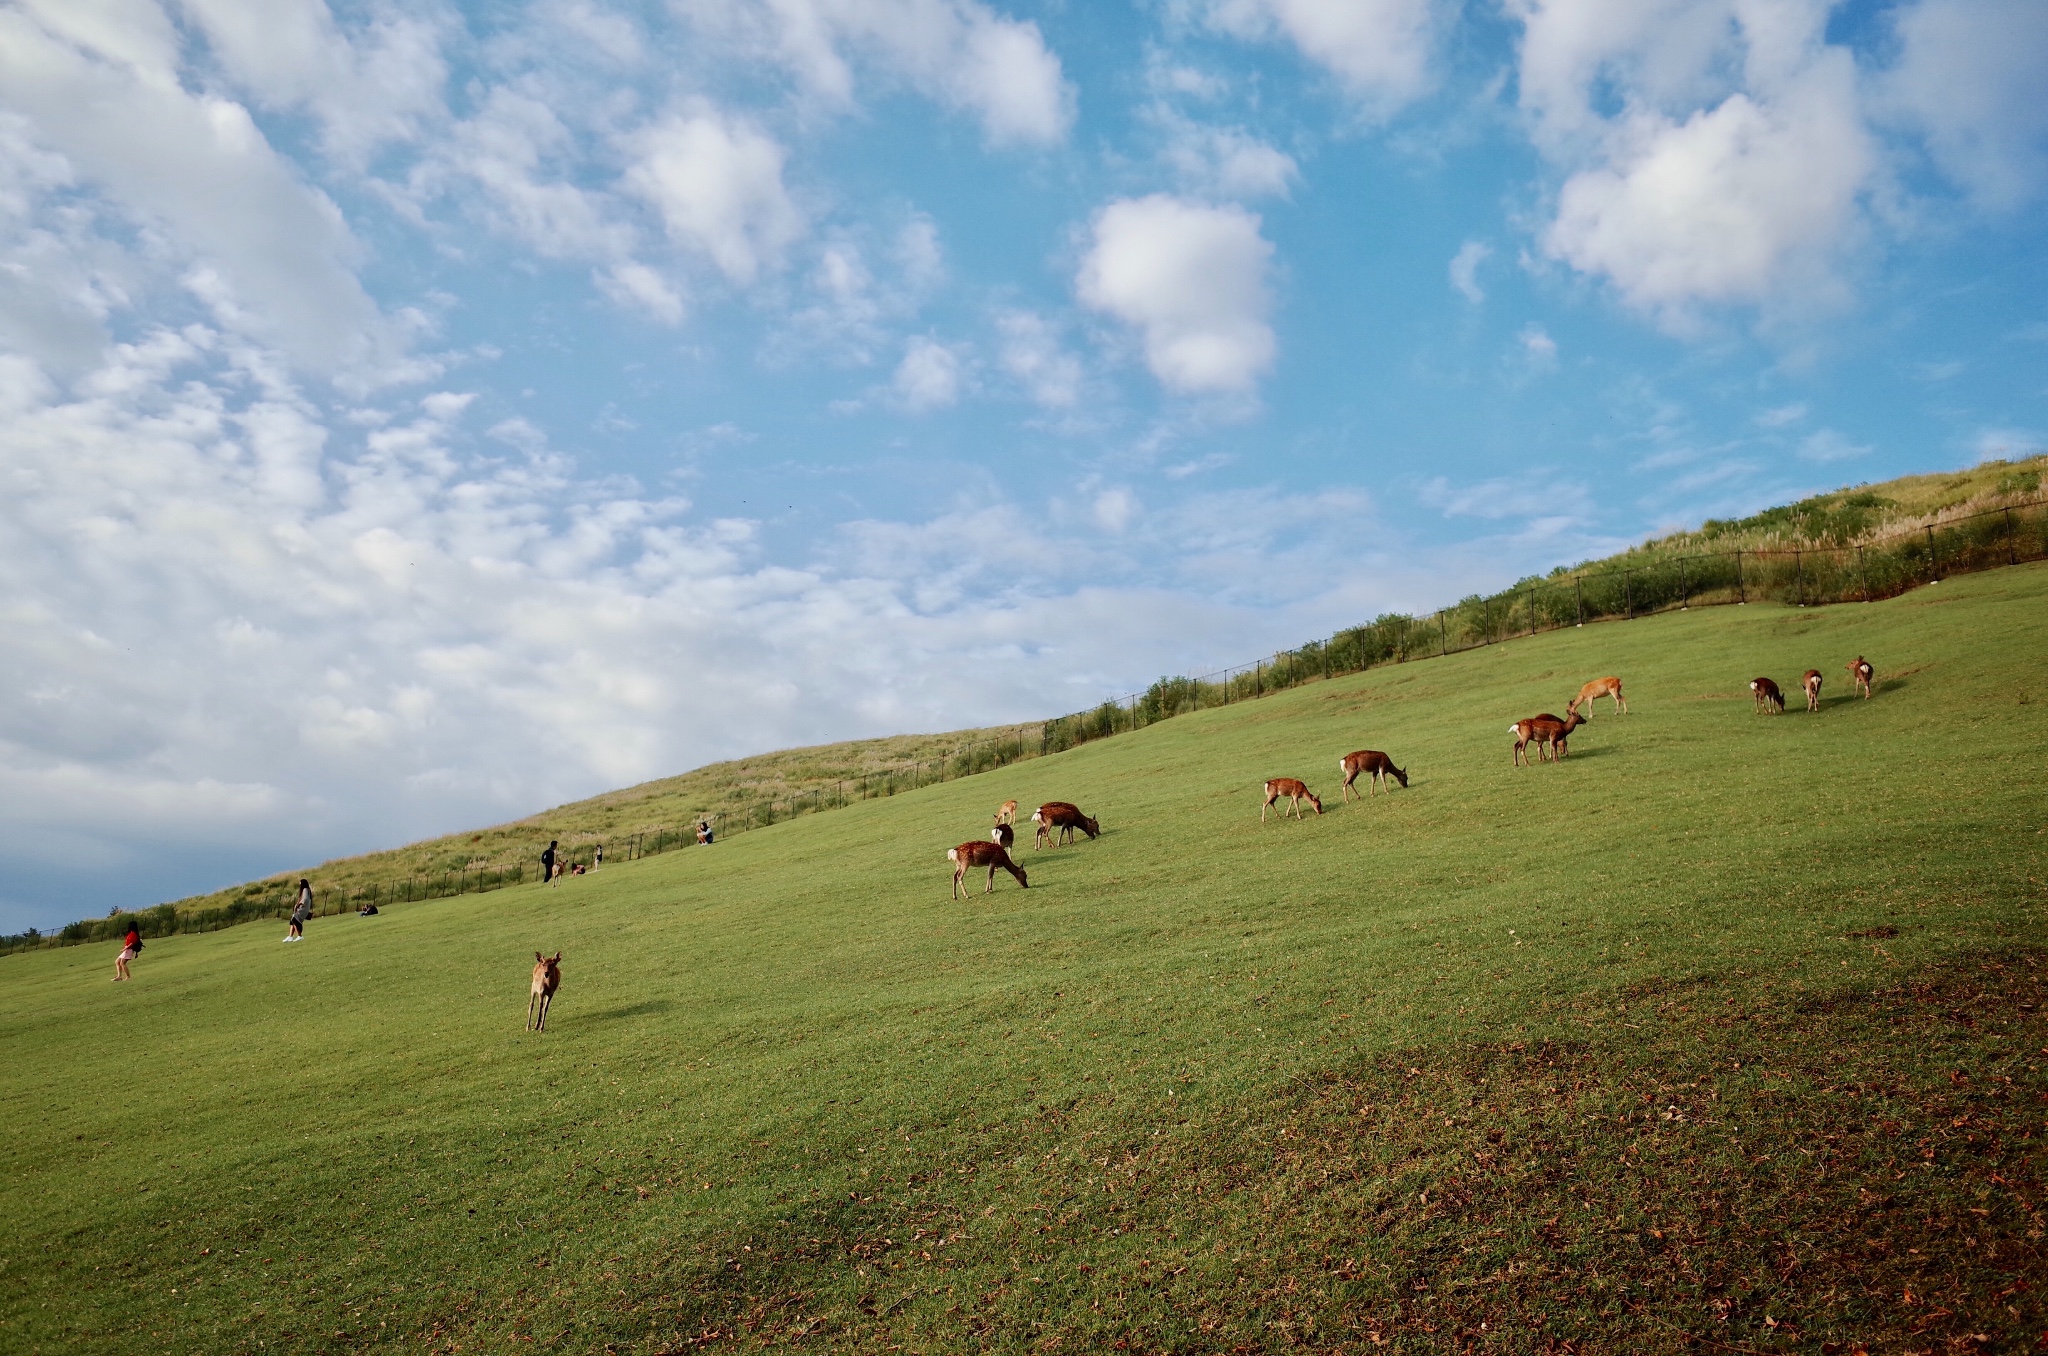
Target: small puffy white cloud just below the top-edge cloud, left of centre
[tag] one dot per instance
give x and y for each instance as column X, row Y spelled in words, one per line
column 718, row 185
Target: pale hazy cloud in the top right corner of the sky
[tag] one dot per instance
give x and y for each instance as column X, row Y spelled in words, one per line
column 1969, row 79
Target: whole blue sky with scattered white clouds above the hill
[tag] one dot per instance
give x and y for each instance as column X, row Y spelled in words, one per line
column 417, row 415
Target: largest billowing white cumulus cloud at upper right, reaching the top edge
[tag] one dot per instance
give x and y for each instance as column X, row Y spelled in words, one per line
column 1732, row 165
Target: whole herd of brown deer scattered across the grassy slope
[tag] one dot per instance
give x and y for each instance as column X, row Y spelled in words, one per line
column 1058, row 820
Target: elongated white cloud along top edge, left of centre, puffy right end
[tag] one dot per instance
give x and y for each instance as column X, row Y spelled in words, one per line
column 957, row 52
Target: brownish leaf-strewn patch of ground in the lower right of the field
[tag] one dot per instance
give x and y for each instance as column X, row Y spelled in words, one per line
column 1691, row 1169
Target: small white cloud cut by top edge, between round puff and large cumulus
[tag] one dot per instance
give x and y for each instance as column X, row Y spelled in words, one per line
column 1377, row 48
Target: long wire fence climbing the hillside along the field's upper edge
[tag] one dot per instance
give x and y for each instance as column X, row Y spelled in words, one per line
column 1801, row 575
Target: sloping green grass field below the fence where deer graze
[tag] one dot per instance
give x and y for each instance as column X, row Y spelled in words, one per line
column 1727, row 1033
